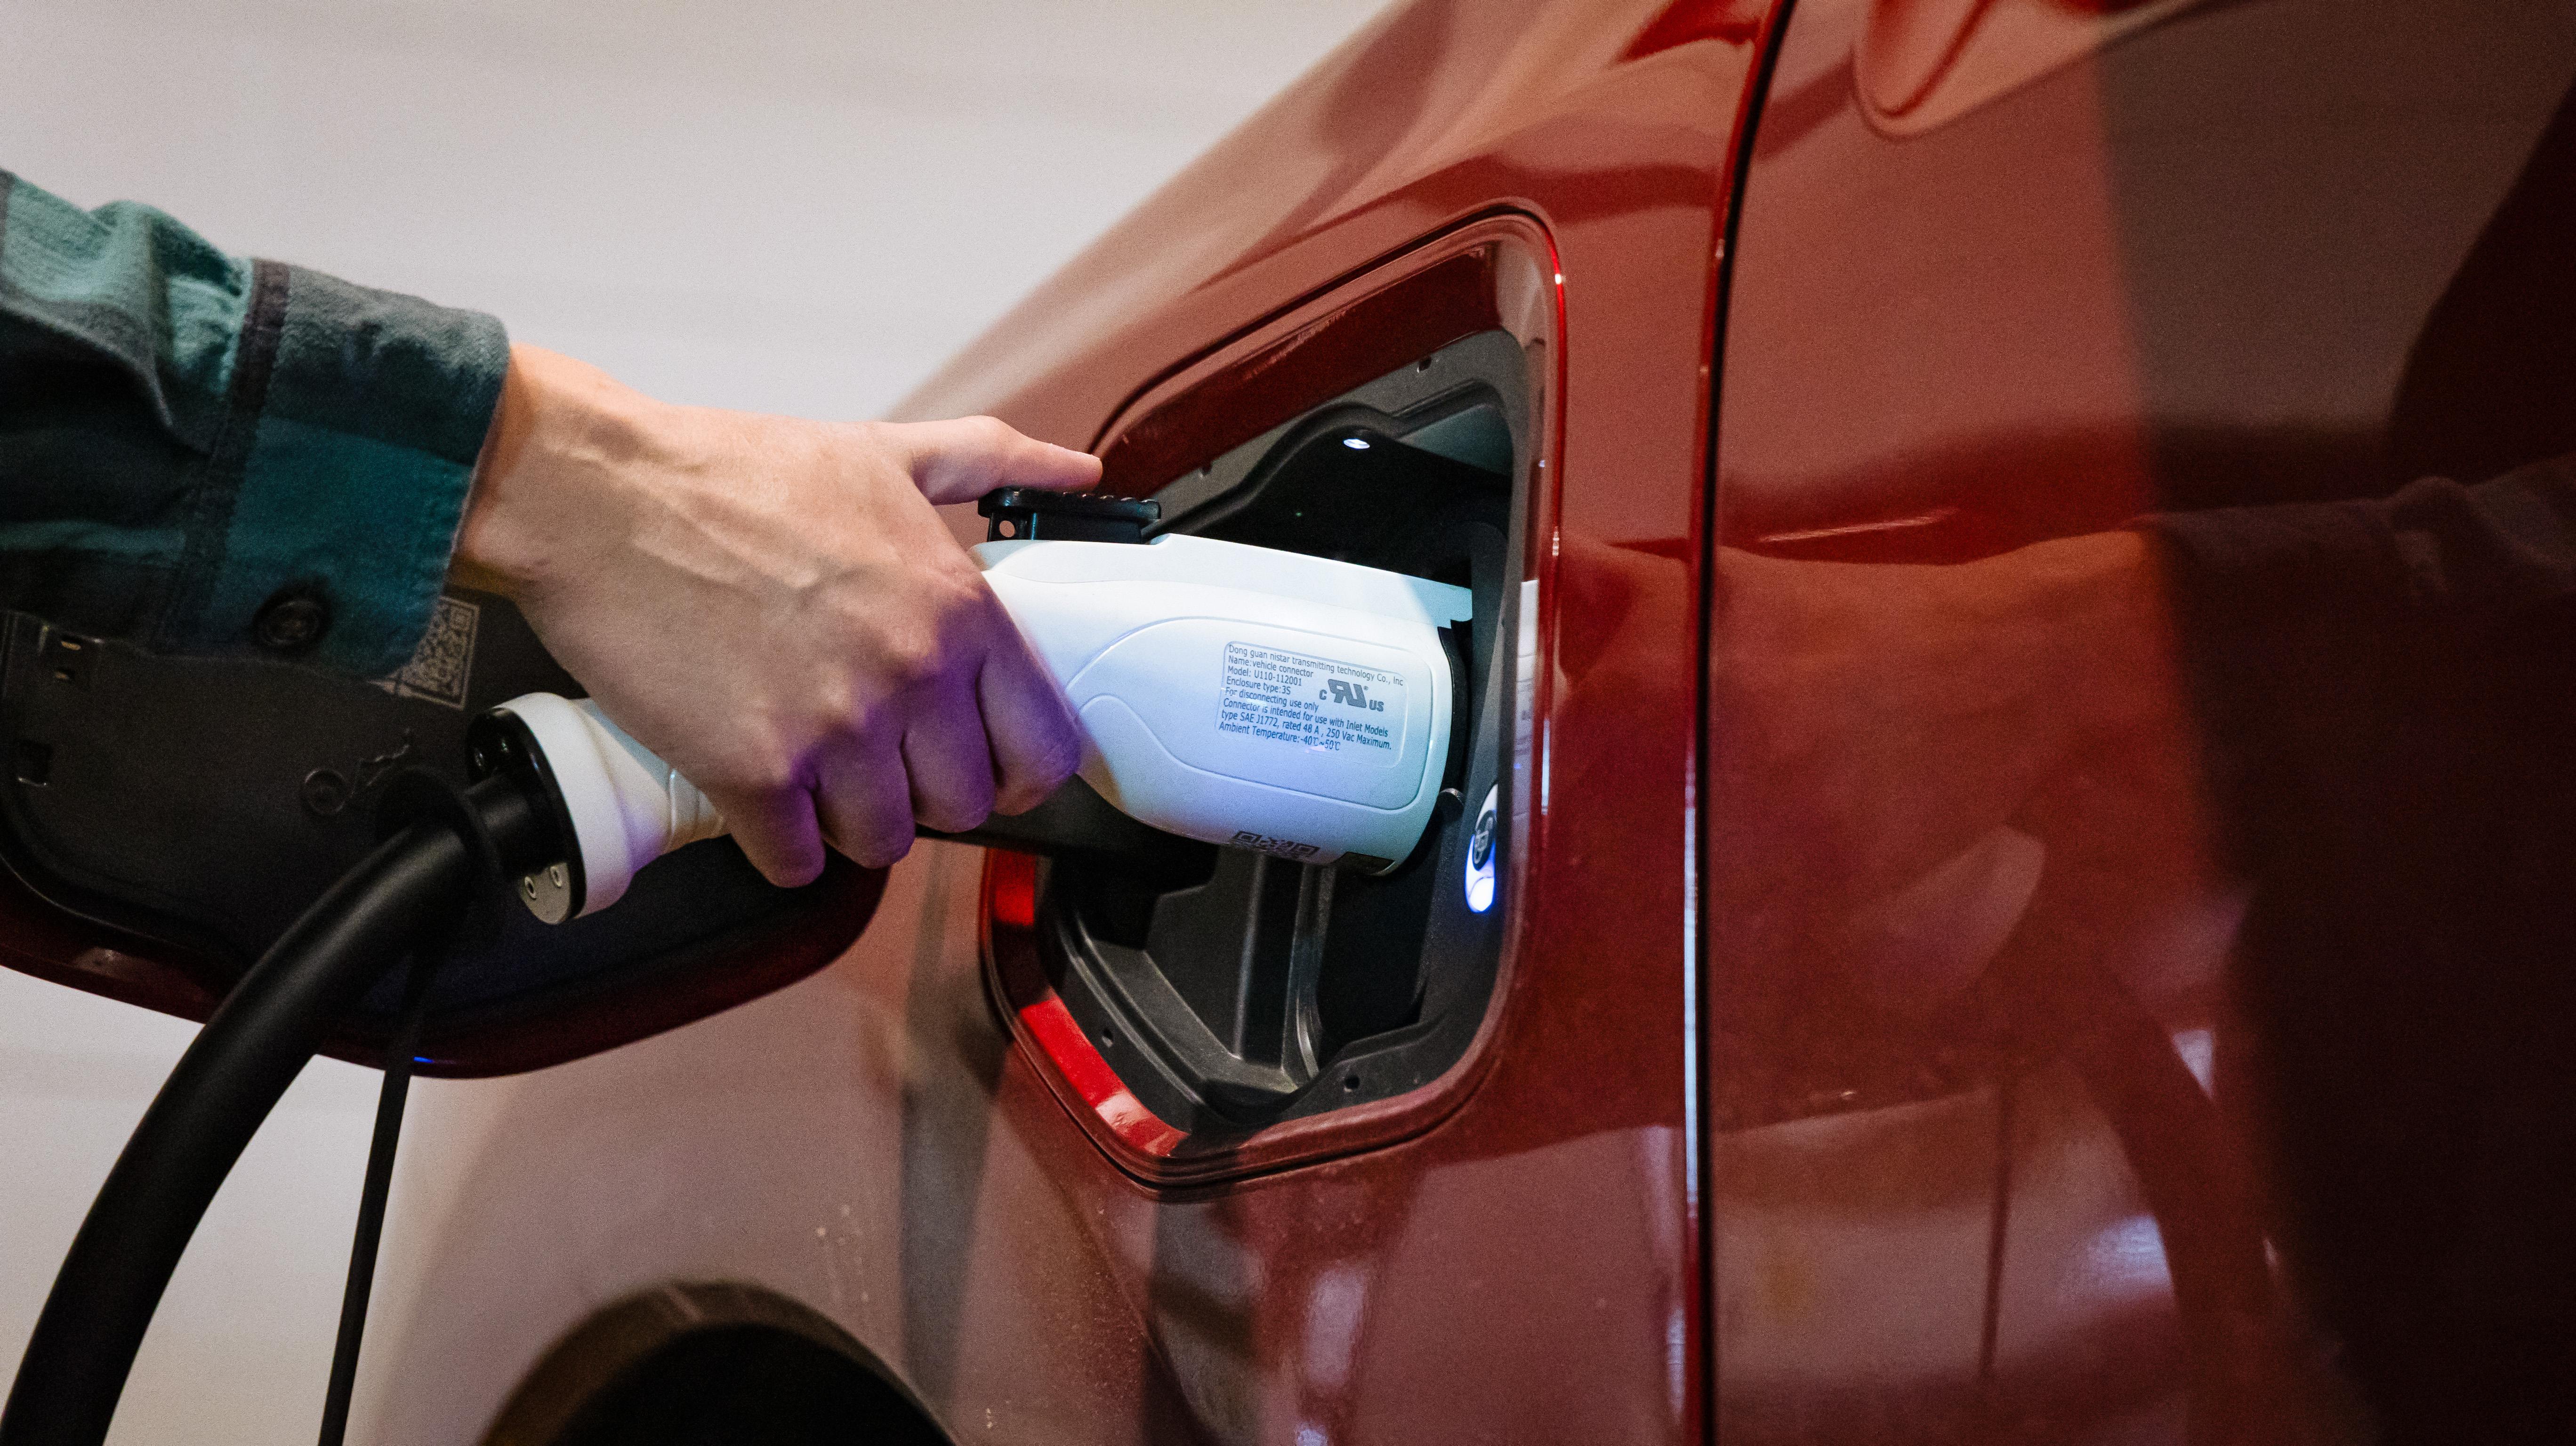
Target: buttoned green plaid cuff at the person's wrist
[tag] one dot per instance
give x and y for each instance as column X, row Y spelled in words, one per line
column 339, row 476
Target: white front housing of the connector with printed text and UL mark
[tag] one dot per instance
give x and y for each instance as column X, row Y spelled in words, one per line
column 1245, row 697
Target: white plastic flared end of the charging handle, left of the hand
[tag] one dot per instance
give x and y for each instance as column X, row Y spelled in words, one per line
column 627, row 805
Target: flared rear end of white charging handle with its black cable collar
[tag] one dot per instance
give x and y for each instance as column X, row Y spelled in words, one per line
column 617, row 805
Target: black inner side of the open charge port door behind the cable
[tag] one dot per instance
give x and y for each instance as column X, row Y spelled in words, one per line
column 194, row 808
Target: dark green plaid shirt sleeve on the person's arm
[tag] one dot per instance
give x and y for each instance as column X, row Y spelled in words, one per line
column 189, row 439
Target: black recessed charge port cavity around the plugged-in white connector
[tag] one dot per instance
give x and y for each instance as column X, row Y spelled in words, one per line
column 1245, row 991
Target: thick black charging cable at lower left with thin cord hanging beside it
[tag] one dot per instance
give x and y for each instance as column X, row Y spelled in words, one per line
column 411, row 891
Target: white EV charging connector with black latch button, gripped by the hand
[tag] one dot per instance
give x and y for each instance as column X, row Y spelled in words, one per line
column 1227, row 695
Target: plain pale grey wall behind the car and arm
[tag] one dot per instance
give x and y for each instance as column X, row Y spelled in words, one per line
column 779, row 205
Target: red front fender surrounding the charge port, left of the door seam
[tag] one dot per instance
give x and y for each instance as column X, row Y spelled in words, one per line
column 1508, row 1254
